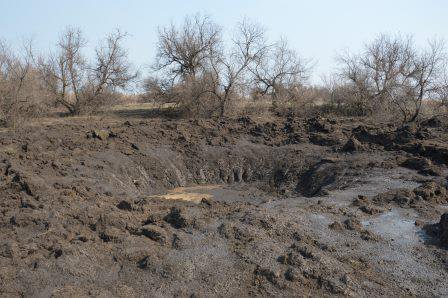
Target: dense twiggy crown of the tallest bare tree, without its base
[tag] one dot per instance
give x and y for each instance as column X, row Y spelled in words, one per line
column 182, row 53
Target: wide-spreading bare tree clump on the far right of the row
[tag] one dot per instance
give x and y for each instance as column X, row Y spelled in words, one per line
column 393, row 72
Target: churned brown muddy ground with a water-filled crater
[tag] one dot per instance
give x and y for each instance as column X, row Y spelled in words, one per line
column 231, row 207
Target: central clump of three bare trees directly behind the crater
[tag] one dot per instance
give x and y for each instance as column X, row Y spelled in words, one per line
column 195, row 57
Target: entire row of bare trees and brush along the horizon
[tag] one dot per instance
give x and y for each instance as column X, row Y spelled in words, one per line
column 202, row 75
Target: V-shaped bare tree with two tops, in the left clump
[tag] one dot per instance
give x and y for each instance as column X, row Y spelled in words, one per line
column 79, row 85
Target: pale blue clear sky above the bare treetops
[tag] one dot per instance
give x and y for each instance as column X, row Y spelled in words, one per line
column 316, row 29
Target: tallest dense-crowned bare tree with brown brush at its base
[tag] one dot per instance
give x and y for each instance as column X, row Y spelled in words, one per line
column 182, row 69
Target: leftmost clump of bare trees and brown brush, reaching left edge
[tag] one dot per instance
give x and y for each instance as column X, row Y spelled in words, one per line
column 29, row 85
